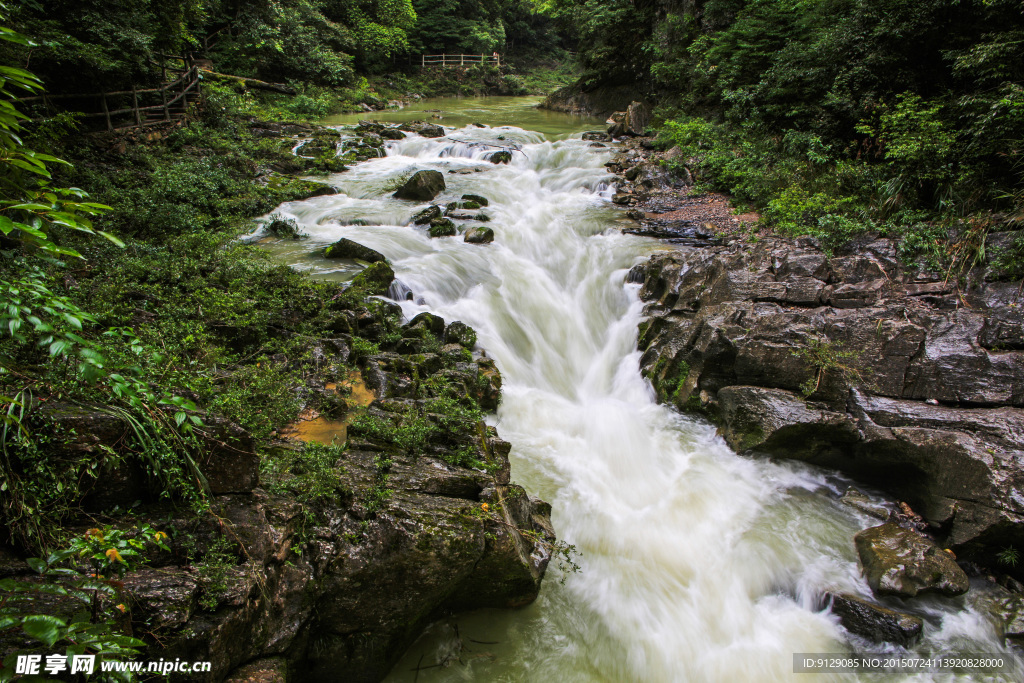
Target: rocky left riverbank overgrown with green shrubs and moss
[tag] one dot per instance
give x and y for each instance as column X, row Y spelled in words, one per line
column 410, row 515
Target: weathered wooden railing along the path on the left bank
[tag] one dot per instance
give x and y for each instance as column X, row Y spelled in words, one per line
column 174, row 102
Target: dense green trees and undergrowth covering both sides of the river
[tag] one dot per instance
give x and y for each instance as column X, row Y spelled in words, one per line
column 126, row 294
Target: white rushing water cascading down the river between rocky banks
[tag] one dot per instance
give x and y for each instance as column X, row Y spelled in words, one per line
column 697, row 565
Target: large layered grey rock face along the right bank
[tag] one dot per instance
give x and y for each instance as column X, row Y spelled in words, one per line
column 855, row 363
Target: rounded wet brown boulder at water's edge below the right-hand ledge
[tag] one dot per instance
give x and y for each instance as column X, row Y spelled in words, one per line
column 902, row 563
